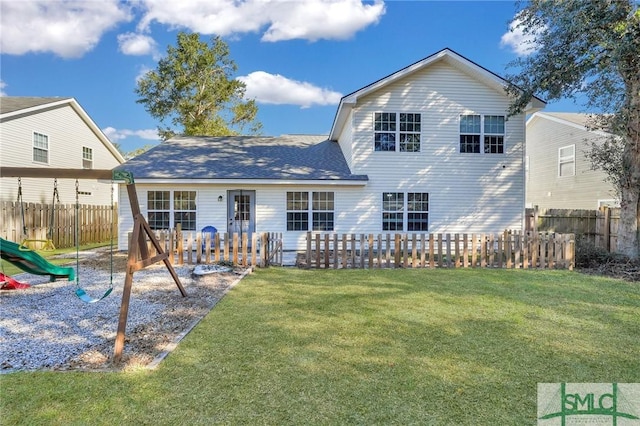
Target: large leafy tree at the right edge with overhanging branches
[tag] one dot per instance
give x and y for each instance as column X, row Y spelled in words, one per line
column 590, row 48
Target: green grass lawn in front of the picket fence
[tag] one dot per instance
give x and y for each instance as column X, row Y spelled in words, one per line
column 289, row 346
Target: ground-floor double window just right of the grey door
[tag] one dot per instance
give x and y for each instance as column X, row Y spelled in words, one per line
column 320, row 210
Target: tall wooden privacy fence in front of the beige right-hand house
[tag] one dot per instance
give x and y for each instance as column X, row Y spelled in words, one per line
column 600, row 227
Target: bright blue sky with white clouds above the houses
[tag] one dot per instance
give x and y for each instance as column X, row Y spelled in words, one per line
column 297, row 58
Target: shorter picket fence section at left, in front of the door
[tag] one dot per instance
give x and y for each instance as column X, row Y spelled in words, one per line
column 262, row 249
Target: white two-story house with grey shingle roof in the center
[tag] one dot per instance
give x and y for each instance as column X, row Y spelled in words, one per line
column 426, row 149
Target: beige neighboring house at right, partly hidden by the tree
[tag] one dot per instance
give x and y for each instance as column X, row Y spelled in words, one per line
column 559, row 173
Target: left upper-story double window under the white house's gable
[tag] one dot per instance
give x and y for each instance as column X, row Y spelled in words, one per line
column 396, row 131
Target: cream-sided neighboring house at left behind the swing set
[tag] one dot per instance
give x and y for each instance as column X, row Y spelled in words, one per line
column 53, row 133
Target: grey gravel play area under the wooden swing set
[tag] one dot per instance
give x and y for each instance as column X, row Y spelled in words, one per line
column 46, row 327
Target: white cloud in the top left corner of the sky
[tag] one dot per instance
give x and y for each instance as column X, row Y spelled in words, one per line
column 66, row 28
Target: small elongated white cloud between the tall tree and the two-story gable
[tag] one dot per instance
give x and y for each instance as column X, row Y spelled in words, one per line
column 275, row 89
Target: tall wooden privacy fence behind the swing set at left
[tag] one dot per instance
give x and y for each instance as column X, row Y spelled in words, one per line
column 95, row 223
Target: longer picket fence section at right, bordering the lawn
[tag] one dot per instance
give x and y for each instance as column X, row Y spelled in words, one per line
column 506, row 250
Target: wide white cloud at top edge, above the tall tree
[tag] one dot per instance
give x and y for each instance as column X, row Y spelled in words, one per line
column 284, row 20
